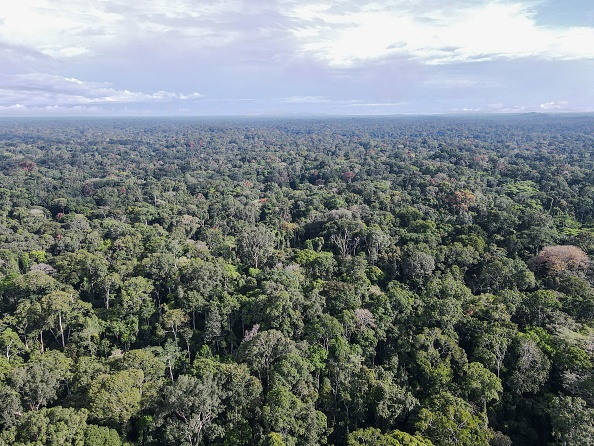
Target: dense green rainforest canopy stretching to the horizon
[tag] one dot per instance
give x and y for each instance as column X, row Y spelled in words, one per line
column 356, row 281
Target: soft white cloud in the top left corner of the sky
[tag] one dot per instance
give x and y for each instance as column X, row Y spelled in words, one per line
column 64, row 29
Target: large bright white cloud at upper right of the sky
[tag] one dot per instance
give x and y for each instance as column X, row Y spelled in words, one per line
column 472, row 32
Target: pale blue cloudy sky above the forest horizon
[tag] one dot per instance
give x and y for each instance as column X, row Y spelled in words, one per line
column 292, row 57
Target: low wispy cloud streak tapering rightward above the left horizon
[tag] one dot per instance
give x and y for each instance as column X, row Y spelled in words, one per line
column 48, row 90
